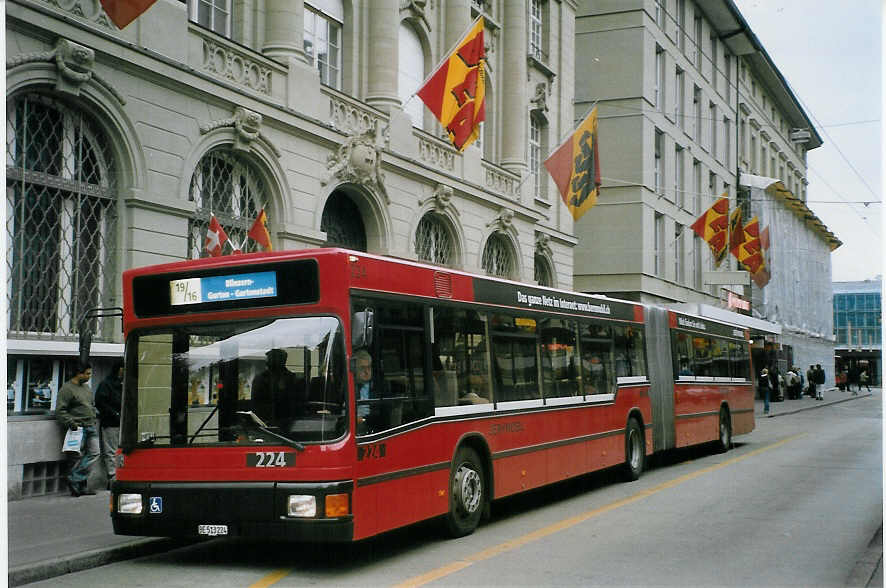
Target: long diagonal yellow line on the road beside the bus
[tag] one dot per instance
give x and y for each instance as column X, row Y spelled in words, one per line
column 491, row 552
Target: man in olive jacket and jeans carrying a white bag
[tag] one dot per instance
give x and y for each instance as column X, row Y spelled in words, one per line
column 76, row 409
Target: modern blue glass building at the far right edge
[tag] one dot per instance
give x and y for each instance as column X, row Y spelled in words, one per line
column 858, row 317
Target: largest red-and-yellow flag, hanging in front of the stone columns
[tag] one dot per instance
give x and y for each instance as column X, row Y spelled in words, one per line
column 456, row 91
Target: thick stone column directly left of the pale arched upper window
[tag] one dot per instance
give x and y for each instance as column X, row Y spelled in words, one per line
column 384, row 21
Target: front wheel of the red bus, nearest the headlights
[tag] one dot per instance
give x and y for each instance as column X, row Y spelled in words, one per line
column 467, row 493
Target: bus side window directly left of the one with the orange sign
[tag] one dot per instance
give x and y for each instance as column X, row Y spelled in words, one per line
column 460, row 360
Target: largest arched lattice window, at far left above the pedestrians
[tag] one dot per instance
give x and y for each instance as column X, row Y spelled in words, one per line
column 61, row 216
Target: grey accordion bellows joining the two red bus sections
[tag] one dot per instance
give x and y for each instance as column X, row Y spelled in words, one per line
column 661, row 378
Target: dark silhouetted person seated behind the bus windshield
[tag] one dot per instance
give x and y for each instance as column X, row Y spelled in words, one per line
column 277, row 392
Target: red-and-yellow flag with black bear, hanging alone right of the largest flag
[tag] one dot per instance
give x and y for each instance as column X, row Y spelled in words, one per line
column 575, row 167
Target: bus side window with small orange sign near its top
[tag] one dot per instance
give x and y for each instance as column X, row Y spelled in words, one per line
column 515, row 366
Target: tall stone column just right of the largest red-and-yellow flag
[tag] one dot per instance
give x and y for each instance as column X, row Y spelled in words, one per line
column 512, row 84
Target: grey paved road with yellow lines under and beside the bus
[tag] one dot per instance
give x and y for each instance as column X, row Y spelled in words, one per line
column 796, row 503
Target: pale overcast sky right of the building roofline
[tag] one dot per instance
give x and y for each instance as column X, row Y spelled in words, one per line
column 830, row 53
